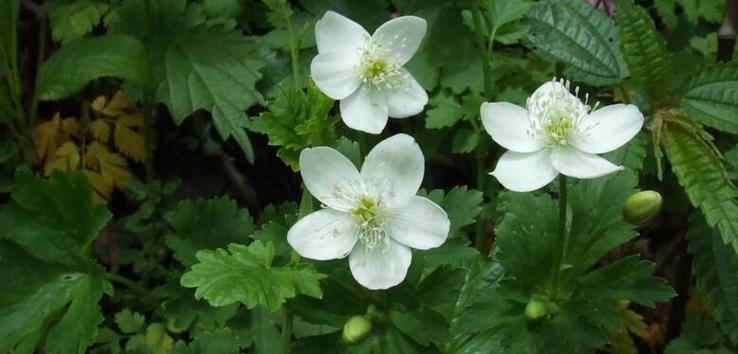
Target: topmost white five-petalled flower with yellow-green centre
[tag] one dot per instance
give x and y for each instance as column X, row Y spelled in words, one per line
column 366, row 72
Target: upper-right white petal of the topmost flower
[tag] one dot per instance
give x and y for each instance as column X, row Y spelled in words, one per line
column 401, row 37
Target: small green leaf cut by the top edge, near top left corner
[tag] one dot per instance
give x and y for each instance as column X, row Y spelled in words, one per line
column 73, row 20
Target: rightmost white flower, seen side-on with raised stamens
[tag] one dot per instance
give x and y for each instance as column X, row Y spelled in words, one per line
column 556, row 134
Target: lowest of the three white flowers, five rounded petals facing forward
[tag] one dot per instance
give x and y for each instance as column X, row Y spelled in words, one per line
column 373, row 216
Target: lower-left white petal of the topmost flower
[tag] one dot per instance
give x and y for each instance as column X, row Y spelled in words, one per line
column 336, row 74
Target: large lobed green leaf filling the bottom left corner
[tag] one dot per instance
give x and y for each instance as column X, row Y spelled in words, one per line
column 54, row 286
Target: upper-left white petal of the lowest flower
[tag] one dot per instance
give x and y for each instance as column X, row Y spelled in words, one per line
column 326, row 173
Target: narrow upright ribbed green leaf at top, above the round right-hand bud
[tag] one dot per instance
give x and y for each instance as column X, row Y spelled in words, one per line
column 644, row 51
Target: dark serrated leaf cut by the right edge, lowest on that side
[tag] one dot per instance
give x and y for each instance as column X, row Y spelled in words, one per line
column 716, row 268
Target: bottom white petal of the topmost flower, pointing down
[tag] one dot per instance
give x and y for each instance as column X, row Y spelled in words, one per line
column 365, row 110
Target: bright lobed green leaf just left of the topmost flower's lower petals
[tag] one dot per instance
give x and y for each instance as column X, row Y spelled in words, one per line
column 295, row 120
